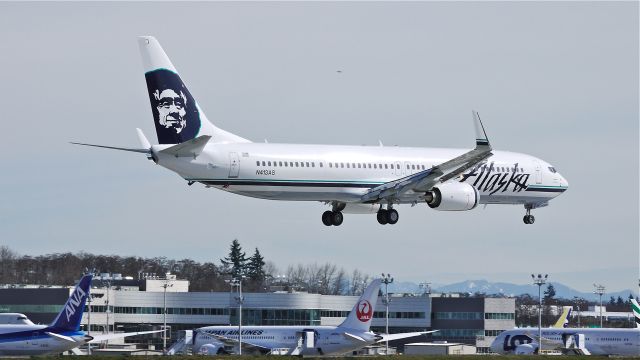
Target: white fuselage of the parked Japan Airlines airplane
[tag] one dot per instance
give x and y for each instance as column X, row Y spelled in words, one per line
column 328, row 340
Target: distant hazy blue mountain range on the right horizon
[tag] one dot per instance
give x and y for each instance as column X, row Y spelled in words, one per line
column 491, row 288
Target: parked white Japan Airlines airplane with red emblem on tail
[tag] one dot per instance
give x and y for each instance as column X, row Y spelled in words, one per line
column 351, row 335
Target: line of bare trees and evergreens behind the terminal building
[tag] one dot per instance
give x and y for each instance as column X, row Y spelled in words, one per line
column 258, row 275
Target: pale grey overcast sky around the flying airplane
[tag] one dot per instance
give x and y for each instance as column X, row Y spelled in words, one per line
column 555, row 80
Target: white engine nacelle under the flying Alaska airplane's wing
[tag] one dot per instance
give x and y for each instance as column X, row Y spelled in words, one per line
column 453, row 196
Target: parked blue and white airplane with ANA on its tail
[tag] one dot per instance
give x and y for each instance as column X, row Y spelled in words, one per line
column 22, row 337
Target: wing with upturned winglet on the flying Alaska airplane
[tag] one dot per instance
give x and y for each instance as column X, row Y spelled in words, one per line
column 425, row 180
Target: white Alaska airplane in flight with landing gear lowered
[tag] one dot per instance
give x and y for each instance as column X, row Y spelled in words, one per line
column 351, row 179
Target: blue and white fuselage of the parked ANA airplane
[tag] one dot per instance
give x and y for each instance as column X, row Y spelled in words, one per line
column 33, row 340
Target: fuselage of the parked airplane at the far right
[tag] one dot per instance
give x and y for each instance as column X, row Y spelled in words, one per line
column 609, row 341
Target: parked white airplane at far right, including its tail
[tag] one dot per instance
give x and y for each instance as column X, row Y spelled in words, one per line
column 586, row 341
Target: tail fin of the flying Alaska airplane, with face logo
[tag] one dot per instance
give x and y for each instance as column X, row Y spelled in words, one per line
column 176, row 114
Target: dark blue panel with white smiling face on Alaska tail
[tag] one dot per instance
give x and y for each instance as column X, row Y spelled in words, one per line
column 174, row 110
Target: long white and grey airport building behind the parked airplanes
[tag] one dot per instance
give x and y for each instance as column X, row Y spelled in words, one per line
column 137, row 305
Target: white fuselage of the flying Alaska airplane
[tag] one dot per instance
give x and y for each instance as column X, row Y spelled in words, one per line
column 345, row 173
